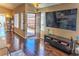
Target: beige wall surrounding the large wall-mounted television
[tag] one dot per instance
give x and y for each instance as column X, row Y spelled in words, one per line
column 63, row 32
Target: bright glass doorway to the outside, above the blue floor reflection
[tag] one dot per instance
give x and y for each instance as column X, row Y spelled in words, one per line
column 31, row 25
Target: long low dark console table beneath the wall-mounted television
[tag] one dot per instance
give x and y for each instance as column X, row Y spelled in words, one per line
column 58, row 42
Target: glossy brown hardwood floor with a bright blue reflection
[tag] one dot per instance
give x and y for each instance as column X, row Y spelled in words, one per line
column 35, row 47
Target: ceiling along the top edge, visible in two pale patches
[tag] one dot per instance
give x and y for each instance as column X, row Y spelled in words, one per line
column 14, row 5
